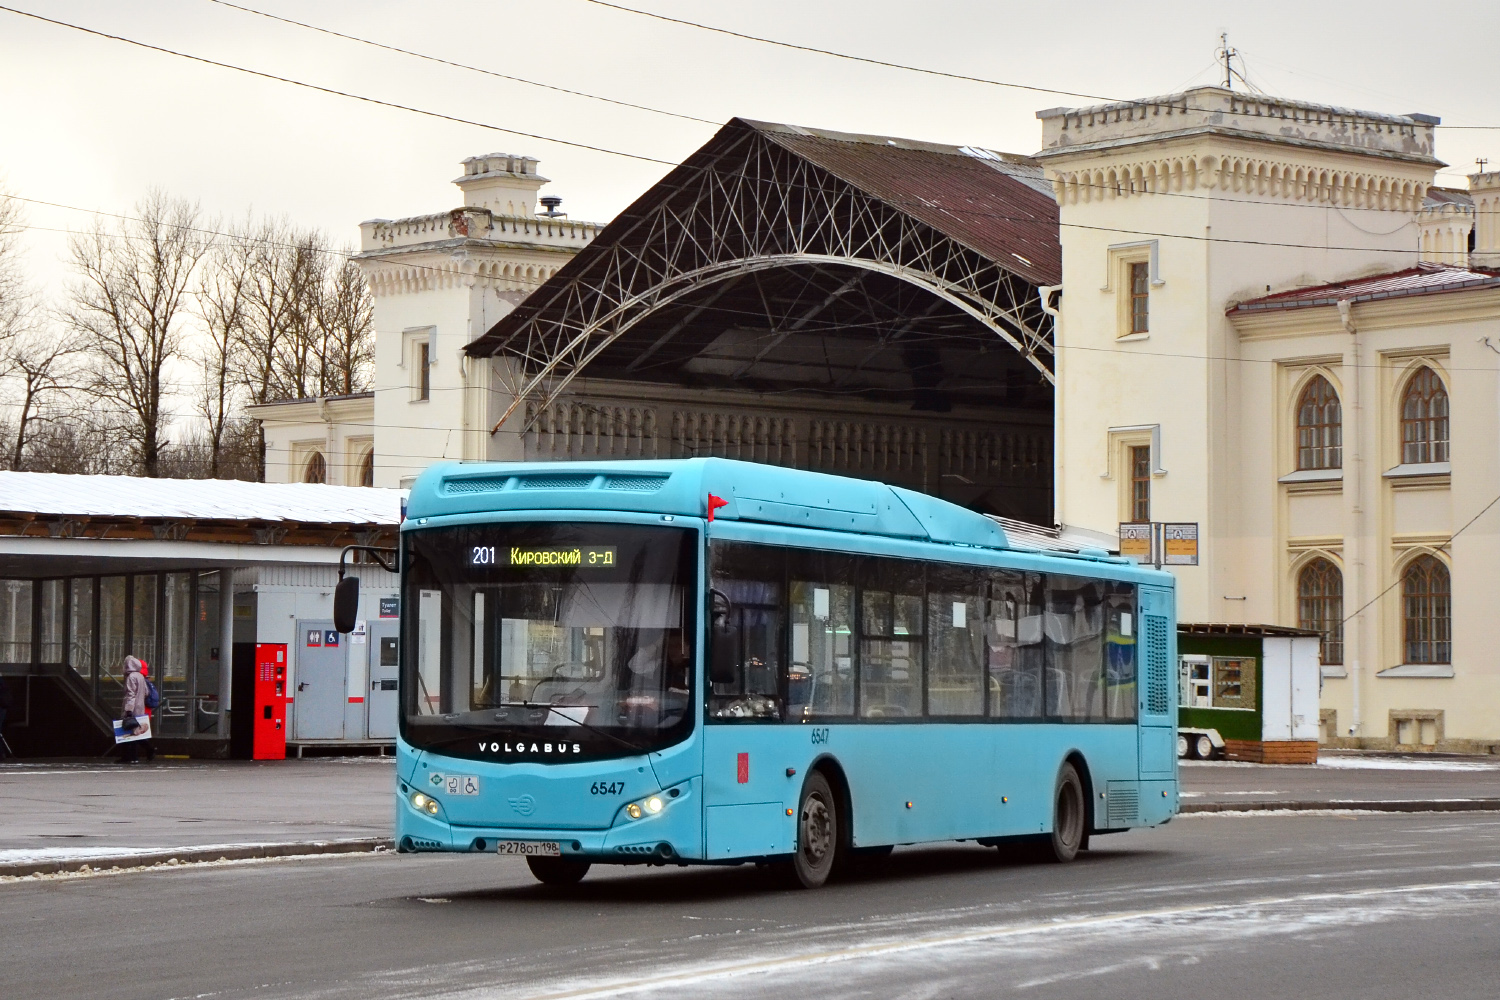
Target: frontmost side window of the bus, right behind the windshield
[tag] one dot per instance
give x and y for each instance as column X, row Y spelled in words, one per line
column 752, row 579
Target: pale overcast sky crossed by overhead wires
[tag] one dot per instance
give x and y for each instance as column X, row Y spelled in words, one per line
column 94, row 122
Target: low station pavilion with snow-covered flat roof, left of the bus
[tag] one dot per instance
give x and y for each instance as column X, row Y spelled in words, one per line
column 193, row 578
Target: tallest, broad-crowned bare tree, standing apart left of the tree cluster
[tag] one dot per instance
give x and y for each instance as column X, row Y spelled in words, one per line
column 130, row 305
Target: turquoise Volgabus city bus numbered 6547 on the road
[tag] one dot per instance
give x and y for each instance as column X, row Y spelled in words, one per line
column 713, row 662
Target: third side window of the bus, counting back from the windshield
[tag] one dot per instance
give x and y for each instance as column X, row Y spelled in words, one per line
column 893, row 639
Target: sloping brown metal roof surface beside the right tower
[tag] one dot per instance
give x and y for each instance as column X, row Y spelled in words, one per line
column 997, row 205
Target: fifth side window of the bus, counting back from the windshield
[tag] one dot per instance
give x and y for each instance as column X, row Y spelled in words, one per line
column 1016, row 653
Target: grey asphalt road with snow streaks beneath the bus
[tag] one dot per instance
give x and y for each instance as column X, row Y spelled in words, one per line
column 1265, row 906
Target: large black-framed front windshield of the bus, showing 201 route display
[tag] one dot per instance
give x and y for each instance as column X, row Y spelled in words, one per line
column 577, row 636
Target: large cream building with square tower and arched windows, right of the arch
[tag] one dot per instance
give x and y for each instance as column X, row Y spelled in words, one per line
column 1274, row 326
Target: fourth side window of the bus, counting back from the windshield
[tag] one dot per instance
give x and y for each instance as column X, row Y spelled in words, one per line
column 955, row 641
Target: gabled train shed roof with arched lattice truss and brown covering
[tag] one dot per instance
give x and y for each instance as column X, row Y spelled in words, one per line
column 859, row 218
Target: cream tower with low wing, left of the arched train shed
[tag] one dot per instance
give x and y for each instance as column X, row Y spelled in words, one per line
column 439, row 283
